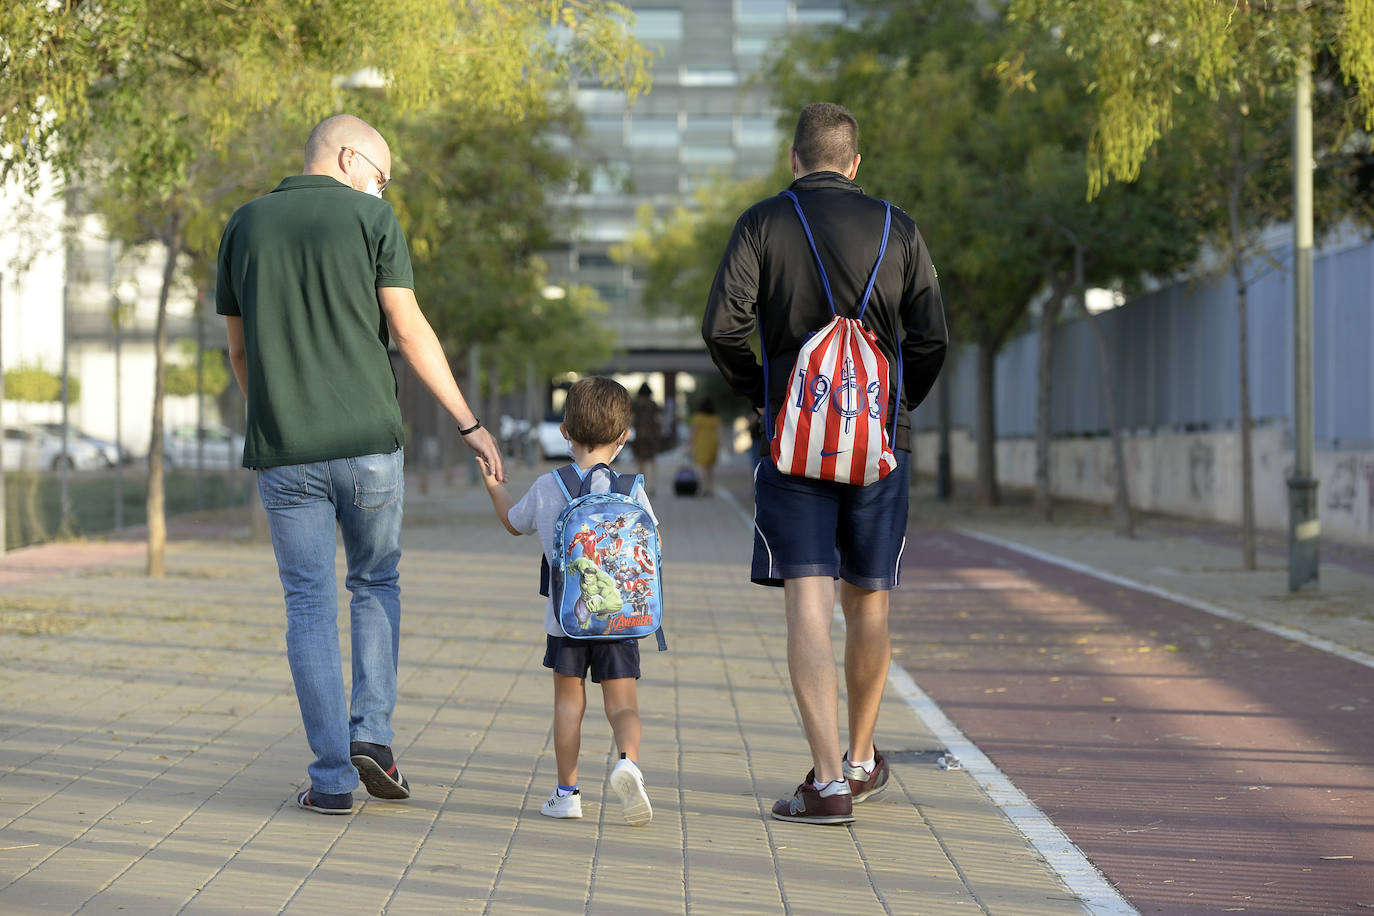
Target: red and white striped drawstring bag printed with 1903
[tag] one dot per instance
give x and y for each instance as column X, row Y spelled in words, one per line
column 832, row 426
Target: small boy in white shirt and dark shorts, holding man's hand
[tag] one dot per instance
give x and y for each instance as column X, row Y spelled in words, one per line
column 597, row 422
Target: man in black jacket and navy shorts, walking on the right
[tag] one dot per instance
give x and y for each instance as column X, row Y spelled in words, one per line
column 810, row 532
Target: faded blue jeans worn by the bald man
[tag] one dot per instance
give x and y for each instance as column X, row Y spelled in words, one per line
column 304, row 502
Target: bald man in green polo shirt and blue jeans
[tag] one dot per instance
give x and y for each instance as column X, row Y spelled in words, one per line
column 315, row 282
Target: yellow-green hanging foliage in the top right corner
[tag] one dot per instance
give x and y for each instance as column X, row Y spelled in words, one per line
column 1142, row 57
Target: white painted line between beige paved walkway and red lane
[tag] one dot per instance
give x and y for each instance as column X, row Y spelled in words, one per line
column 1068, row 862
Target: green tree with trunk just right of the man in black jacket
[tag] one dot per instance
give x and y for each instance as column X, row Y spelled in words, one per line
column 942, row 138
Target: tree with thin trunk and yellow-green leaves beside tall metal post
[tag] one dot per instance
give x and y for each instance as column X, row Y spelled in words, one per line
column 1138, row 57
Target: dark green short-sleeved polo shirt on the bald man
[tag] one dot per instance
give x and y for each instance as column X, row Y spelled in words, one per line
column 302, row 266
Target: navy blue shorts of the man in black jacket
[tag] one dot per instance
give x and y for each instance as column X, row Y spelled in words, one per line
column 820, row 528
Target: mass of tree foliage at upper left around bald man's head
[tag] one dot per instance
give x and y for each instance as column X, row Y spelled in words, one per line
column 177, row 112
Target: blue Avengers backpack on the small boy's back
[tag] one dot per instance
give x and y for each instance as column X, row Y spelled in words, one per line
column 605, row 580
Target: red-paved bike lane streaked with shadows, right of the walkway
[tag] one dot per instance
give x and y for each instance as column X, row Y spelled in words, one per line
column 1203, row 766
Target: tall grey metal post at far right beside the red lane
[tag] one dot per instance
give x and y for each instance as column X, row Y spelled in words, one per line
column 1305, row 527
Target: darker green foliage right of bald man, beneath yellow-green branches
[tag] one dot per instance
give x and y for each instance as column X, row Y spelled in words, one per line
column 473, row 194
